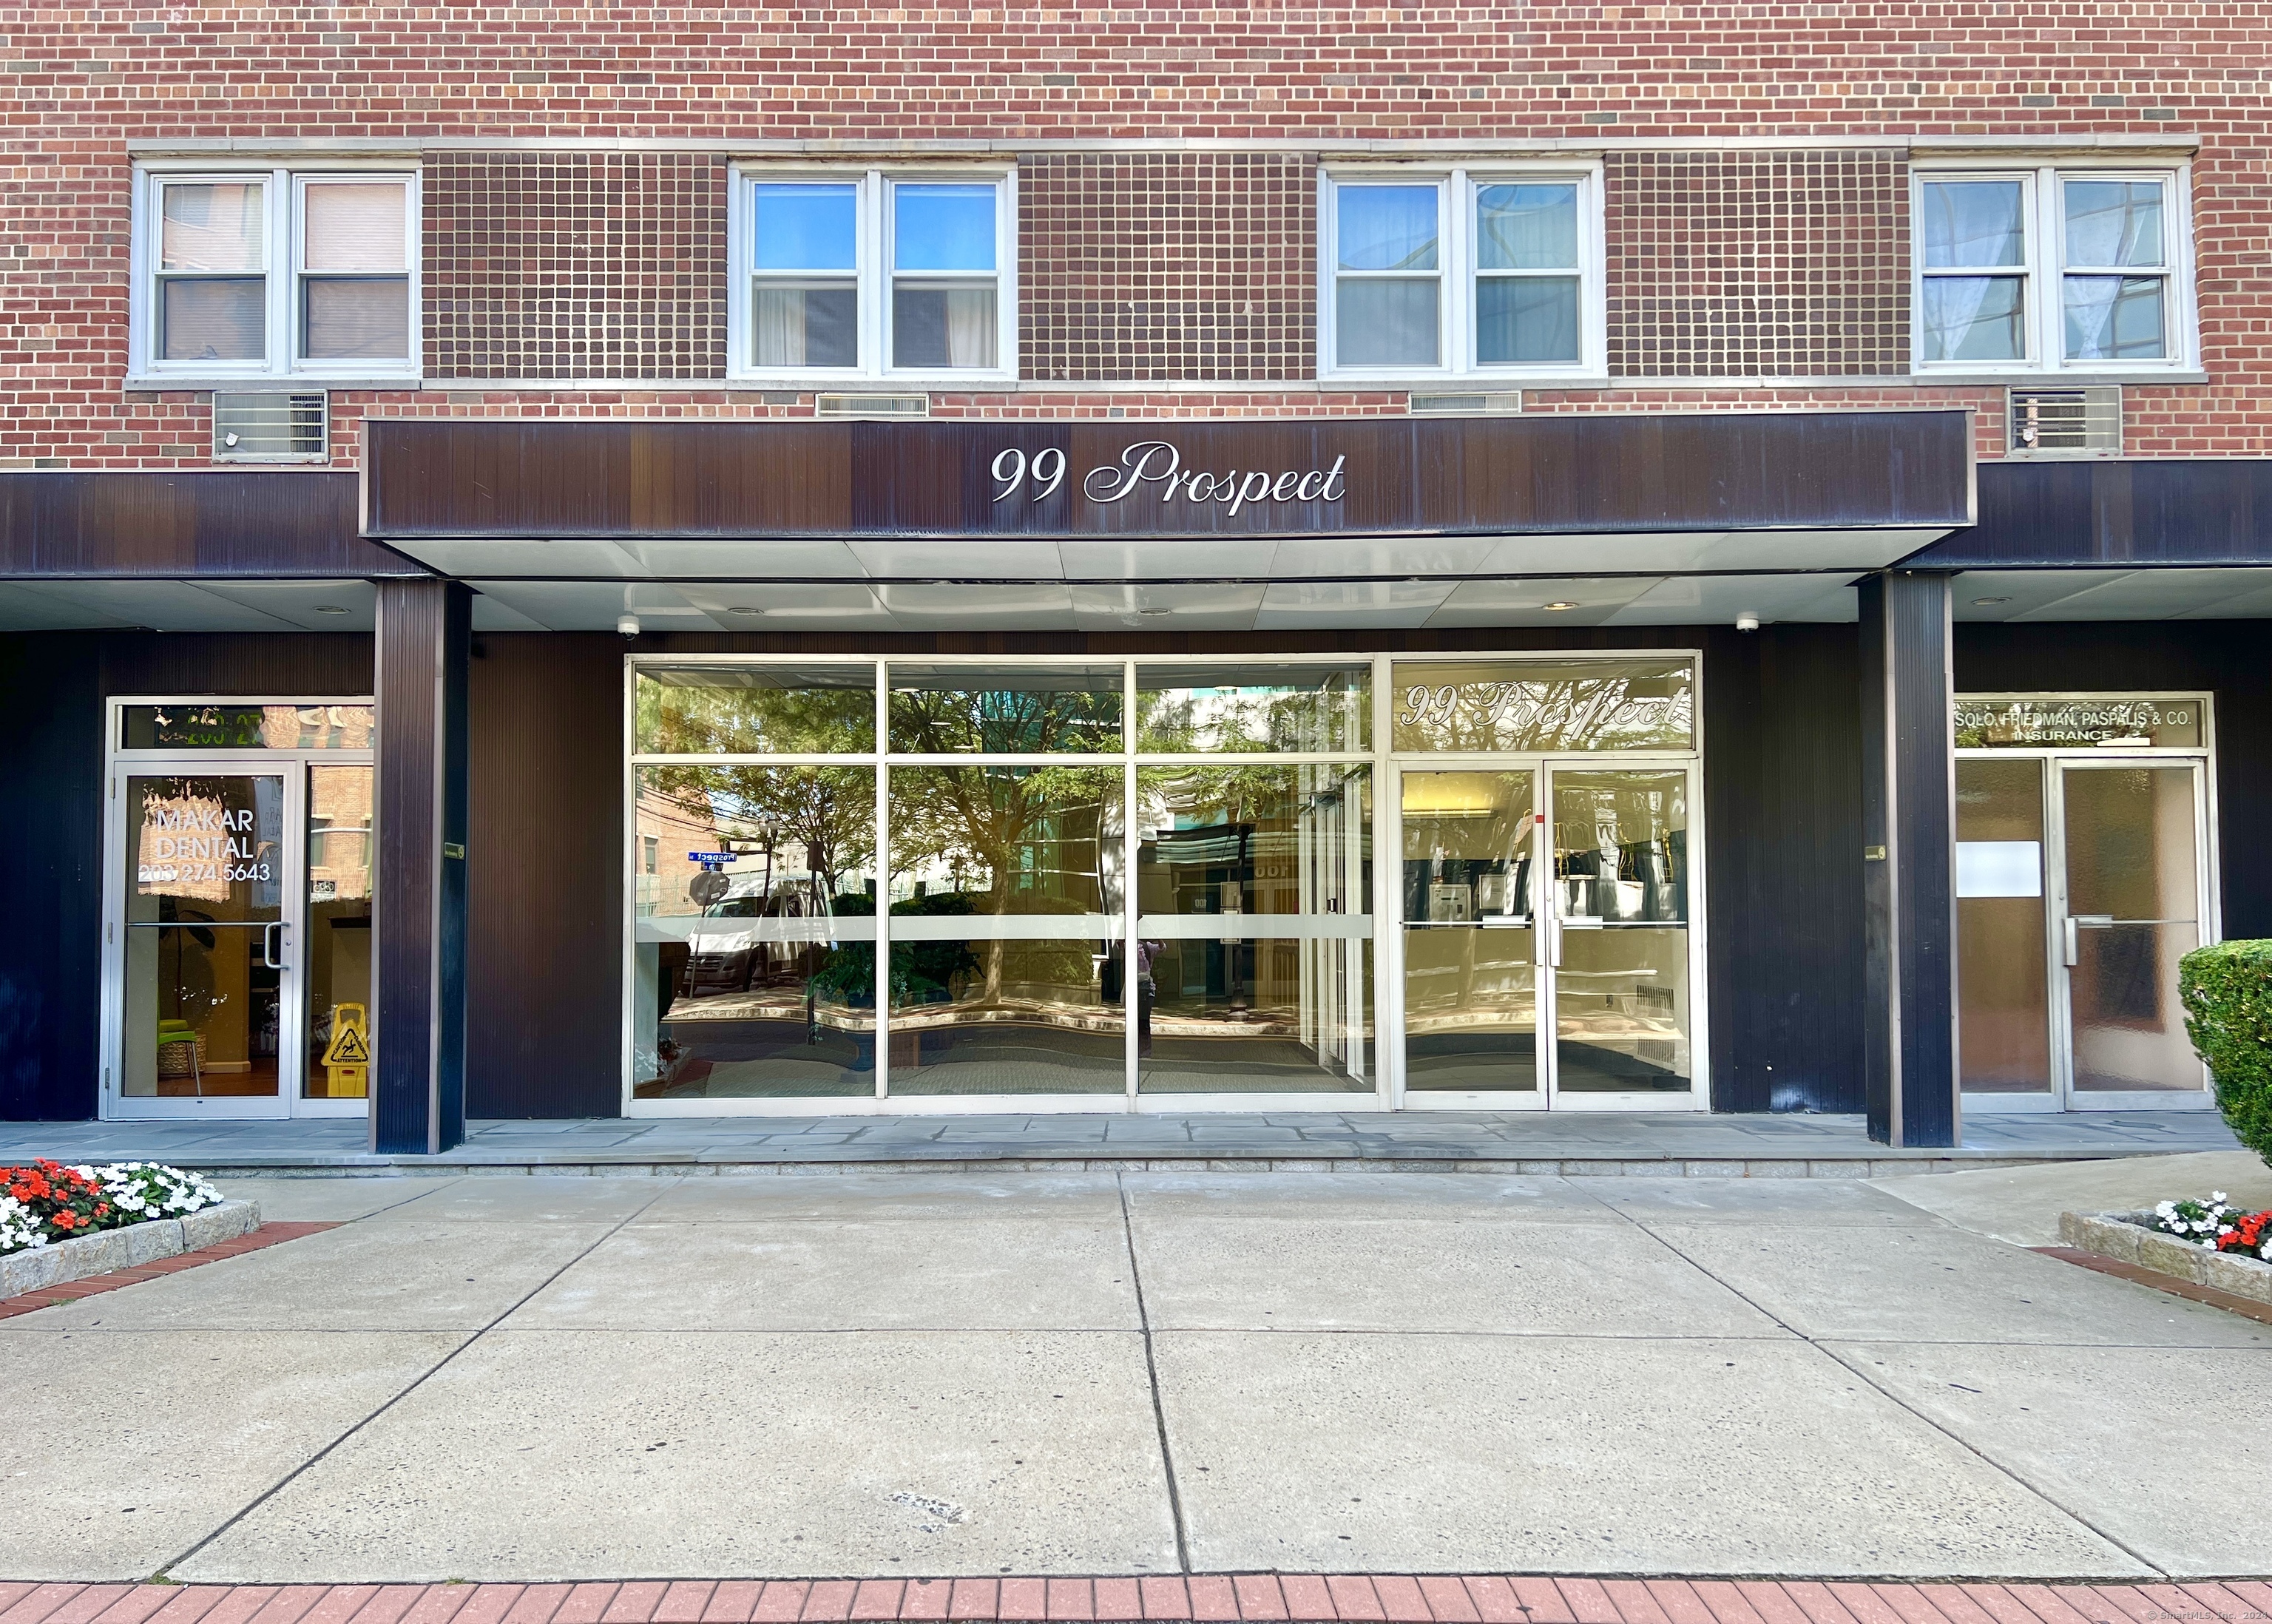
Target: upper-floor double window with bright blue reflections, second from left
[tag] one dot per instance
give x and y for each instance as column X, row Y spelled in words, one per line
column 874, row 274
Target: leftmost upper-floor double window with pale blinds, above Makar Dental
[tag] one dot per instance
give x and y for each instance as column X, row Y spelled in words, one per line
column 276, row 274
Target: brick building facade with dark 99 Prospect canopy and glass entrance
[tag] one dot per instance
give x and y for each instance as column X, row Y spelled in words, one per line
column 728, row 562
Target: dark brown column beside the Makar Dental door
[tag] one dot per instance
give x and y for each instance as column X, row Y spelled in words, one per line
column 419, row 1075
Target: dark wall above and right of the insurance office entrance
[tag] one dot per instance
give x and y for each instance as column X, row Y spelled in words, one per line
column 2223, row 658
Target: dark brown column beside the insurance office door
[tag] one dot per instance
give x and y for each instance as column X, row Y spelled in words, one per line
column 1910, row 857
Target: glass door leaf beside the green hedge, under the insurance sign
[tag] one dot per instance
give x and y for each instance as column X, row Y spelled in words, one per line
column 2132, row 835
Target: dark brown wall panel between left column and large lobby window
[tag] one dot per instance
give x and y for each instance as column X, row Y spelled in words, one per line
column 544, row 873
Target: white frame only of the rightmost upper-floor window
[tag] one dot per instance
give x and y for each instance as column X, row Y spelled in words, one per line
column 2046, row 267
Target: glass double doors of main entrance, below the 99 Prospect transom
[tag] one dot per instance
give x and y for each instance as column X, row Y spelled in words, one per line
column 1548, row 901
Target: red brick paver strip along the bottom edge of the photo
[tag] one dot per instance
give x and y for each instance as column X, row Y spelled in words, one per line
column 1198, row 1598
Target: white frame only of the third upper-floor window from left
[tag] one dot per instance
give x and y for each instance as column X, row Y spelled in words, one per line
column 1457, row 269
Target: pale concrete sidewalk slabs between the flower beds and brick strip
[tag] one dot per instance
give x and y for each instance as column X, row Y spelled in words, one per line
column 1126, row 1375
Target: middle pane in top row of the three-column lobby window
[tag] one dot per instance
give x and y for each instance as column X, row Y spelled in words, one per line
column 1005, row 712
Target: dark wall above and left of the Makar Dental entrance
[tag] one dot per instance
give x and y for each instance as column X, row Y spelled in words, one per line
column 51, row 873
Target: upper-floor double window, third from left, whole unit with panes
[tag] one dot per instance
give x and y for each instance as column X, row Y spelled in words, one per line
column 1462, row 274
